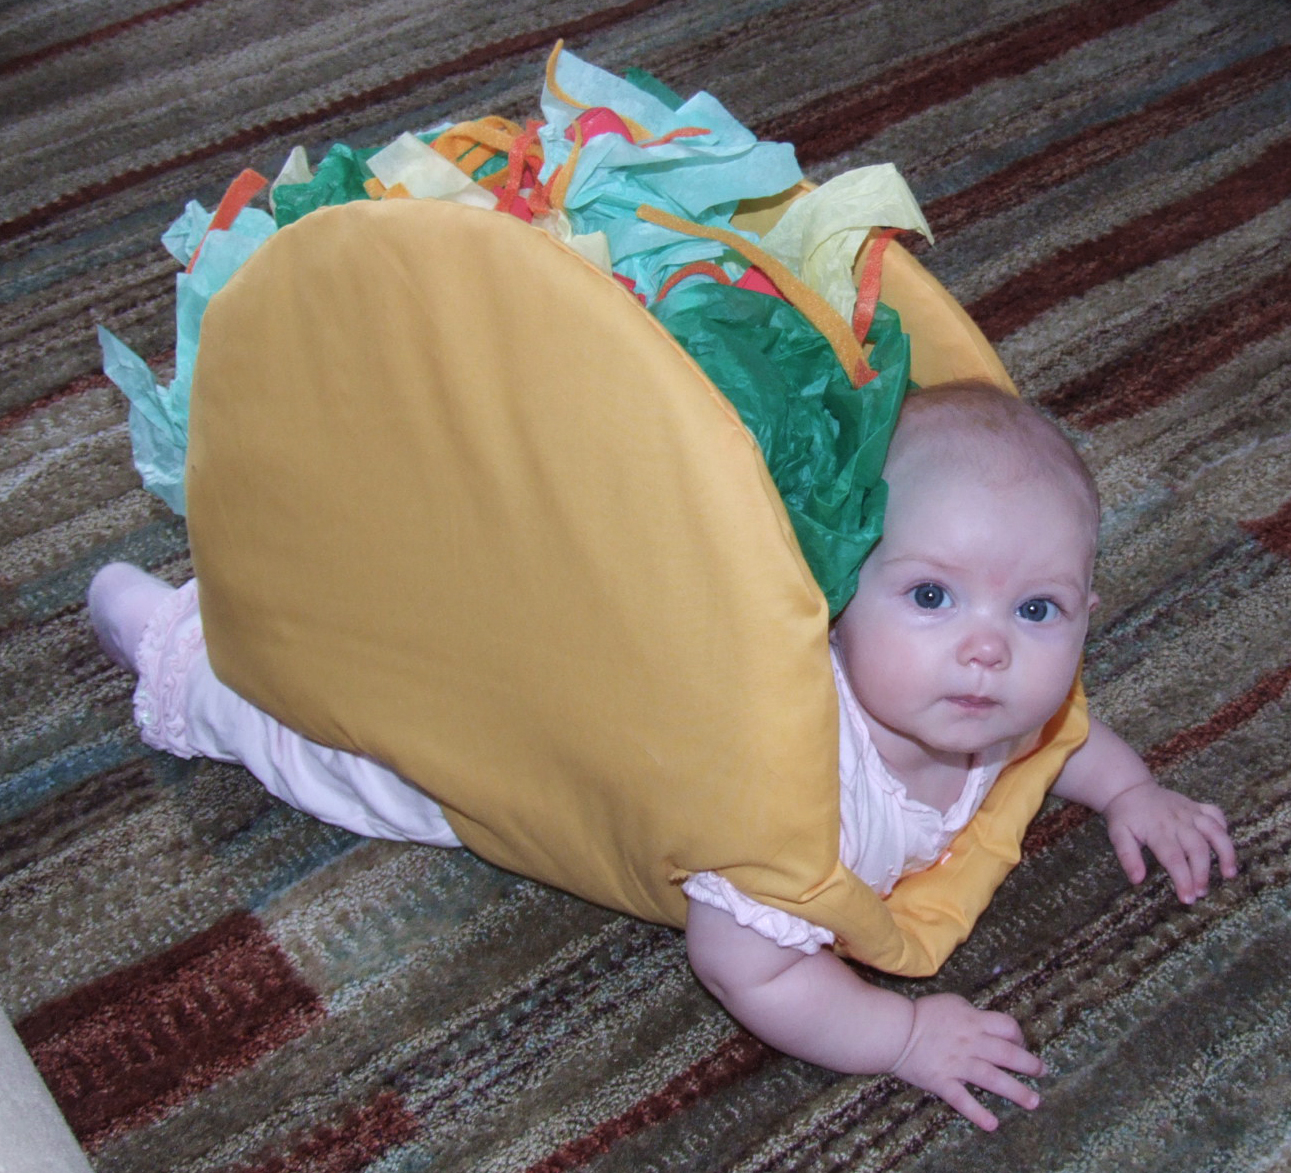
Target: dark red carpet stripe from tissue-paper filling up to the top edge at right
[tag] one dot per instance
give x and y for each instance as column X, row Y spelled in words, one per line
column 839, row 122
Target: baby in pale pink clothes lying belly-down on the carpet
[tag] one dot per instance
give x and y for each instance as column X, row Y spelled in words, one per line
column 962, row 641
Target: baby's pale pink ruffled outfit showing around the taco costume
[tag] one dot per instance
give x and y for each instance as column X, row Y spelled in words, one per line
column 181, row 708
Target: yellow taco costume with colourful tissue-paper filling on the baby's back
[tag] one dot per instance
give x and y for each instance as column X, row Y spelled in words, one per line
column 460, row 504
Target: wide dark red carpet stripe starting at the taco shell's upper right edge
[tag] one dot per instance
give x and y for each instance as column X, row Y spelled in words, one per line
column 1234, row 201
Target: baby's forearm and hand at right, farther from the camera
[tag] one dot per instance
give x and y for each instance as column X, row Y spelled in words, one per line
column 1110, row 777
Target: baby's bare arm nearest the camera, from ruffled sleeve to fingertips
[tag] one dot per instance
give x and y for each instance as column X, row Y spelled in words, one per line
column 815, row 1007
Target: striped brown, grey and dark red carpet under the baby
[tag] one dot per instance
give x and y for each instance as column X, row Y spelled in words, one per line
column 212, row 983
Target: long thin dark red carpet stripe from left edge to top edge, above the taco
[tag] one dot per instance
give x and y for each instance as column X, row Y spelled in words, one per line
column 245, row 140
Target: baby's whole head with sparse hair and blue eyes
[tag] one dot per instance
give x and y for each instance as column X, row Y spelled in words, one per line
column 970, row 615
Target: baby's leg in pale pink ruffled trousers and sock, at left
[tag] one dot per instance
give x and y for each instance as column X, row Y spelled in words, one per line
column 156, row 630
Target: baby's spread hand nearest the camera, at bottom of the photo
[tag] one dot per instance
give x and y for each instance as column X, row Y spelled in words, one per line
column 953, row 1043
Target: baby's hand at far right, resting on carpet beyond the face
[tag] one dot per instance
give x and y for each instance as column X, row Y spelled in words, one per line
column 1182, row 834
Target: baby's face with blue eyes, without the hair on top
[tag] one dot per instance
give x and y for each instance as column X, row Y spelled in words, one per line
column 970, row 616
